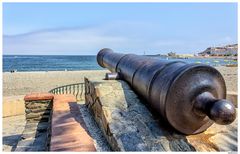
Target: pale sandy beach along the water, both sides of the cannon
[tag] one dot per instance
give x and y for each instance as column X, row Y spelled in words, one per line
column 21, row 83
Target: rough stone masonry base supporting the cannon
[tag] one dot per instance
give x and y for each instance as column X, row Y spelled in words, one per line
column 129, row 124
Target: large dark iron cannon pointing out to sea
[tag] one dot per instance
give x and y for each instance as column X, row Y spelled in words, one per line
column 190, row 97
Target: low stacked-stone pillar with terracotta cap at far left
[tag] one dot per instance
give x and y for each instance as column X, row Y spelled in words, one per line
column 36, row 135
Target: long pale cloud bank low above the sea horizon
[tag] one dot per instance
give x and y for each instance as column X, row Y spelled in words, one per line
column 122, row 36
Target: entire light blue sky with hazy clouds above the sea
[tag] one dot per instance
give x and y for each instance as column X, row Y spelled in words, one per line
column 85, row 28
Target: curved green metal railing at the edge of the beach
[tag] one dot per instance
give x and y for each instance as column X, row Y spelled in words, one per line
column 76, row 89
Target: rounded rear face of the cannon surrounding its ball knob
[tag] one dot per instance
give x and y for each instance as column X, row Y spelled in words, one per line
column 179, row 105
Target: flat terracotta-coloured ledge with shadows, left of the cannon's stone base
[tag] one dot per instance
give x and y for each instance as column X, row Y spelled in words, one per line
column 68, row 130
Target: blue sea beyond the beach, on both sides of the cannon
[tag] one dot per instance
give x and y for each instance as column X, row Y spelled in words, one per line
column 28, row 63
